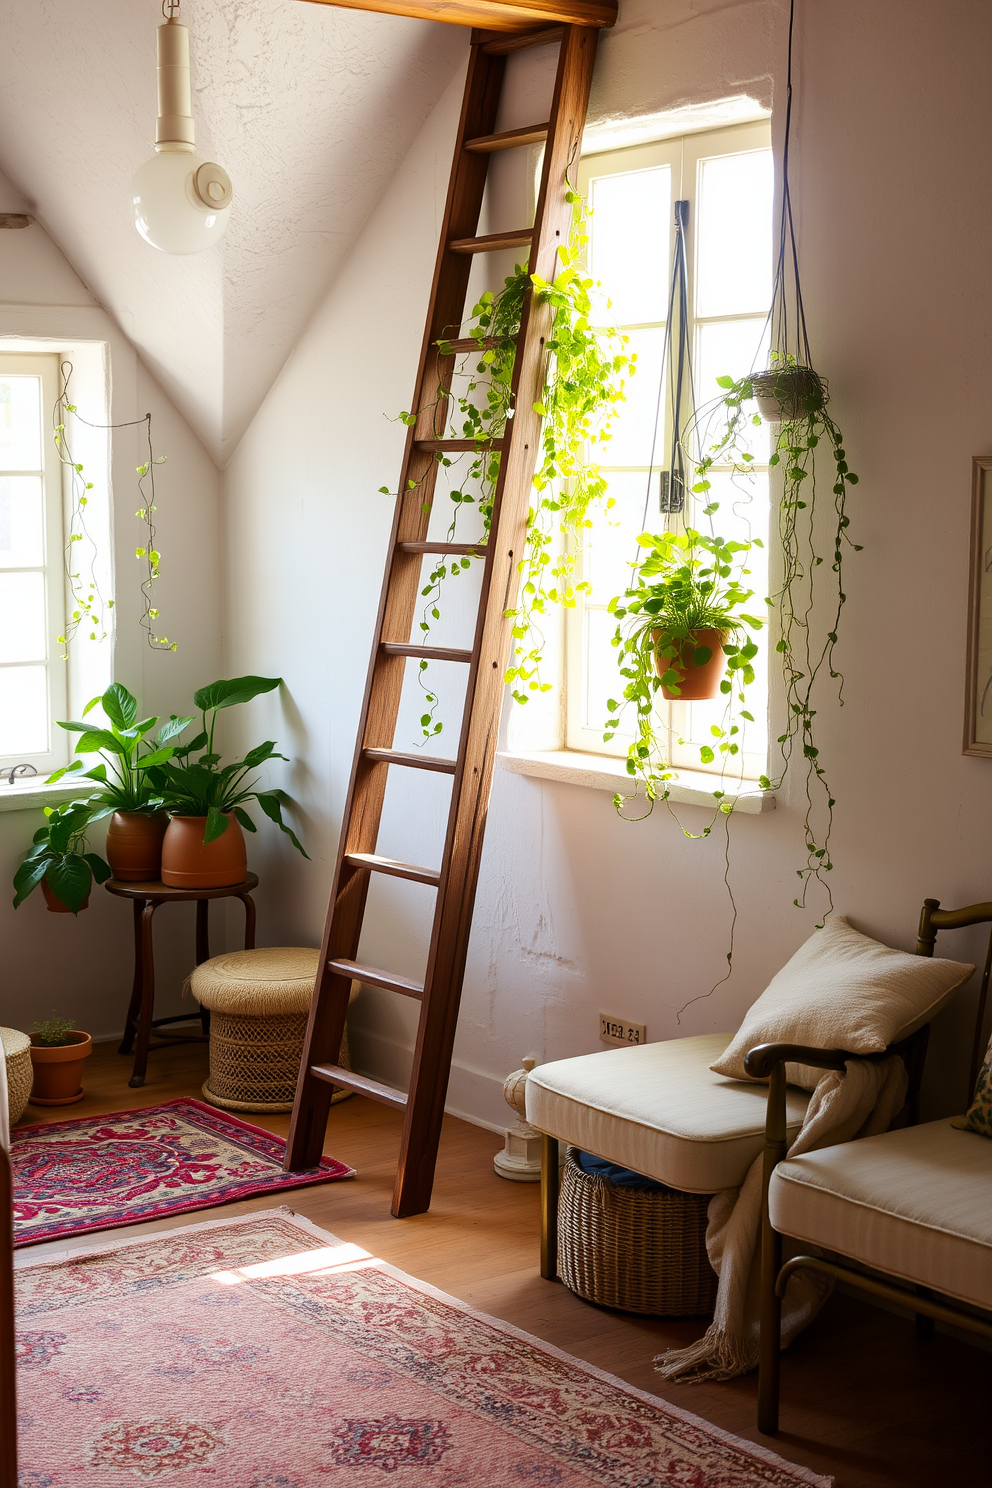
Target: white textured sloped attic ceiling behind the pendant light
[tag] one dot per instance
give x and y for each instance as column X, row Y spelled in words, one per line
column 310, row 108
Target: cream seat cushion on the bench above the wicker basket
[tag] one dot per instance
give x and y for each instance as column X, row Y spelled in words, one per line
column 658, row 1109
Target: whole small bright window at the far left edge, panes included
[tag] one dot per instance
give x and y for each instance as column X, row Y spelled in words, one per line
column 32, row 589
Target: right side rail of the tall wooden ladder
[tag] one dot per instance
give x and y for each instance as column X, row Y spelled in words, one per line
column 486, row 693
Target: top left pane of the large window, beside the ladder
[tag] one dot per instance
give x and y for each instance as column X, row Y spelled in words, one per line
column 631, row 242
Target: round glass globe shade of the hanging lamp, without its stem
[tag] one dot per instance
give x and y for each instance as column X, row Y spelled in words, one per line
column 169, row 212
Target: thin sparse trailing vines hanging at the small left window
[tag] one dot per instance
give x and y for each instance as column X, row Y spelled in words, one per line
column 88, row 608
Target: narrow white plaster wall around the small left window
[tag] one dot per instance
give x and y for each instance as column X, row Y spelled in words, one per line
column 83, row 966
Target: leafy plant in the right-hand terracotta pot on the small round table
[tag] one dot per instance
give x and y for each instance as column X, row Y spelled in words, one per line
column 204, row 844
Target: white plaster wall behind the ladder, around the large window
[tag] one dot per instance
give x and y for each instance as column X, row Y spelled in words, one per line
column 579, row 911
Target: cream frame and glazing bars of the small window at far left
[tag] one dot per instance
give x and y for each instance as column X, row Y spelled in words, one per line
column 45, row 365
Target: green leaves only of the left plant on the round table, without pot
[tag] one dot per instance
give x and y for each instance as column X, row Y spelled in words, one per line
column 130, row 773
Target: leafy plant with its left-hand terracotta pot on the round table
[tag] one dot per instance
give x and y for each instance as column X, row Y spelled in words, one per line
column 129, row 776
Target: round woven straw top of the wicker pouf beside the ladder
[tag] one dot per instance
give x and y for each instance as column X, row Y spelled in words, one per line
column 257, row 984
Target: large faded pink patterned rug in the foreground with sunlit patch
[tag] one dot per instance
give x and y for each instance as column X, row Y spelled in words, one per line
column 263, row 1353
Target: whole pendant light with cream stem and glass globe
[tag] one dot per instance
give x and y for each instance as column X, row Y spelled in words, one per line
column 182, row 203
